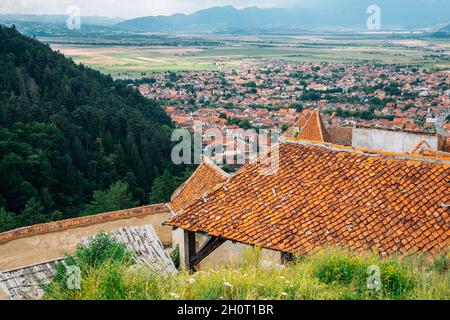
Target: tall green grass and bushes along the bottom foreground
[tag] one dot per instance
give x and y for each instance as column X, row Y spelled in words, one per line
column 329, row 274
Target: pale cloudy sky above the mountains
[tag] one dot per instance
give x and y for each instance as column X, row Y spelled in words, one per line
column 133, row 8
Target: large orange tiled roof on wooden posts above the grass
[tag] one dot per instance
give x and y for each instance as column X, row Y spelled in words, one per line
column 326, row 195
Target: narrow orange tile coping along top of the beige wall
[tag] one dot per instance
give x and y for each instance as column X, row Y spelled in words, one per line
column 81, row 222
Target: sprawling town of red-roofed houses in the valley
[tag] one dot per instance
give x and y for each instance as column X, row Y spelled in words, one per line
column 267, row 94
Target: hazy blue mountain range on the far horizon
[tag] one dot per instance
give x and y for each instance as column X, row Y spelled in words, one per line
column 322, row 15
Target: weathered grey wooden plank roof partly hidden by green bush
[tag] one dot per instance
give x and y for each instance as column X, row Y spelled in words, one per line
column 25, row 283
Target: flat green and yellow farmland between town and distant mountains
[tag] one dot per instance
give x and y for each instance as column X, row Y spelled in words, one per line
column 123, row 61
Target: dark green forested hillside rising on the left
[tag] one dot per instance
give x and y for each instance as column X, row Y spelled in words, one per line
column 67, row 131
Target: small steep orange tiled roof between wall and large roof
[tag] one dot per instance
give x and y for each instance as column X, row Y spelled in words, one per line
column 207, row 175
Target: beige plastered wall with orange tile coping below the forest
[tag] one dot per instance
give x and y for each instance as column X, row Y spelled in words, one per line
column 33, row 245
